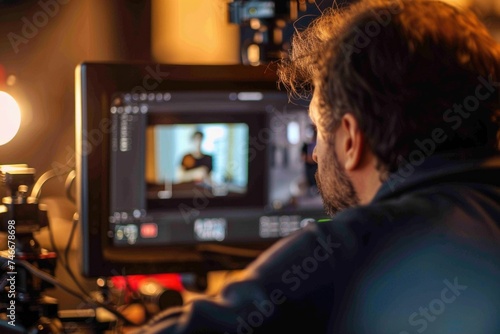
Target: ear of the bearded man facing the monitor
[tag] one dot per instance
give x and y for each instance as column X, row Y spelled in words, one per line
column 352, row 142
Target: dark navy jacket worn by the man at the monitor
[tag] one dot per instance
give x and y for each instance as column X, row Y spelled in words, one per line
column 423, row 256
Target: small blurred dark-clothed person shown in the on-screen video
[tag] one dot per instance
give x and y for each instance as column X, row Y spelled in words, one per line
column 196, row 166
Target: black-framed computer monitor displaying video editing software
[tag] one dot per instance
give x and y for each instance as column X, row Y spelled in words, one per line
column 187, row 168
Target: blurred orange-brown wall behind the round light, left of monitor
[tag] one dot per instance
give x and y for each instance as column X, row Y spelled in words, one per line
column 41, row 43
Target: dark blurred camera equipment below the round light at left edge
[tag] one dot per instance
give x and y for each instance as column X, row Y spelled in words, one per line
column 24, row 306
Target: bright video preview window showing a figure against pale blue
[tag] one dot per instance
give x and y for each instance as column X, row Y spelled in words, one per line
column 186, row 158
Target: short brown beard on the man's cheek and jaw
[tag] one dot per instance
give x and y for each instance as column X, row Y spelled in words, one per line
column 335, row 187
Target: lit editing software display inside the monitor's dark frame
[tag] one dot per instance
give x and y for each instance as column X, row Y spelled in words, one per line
column 215, row 166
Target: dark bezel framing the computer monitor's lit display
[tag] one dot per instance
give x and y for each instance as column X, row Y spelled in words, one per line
column 95, row 85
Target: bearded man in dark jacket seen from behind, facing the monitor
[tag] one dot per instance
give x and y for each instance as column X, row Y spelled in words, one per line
column 405, row 99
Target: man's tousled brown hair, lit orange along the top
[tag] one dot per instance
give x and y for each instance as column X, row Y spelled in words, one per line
column 400, row 67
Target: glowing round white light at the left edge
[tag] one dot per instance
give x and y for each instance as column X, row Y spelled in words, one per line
column 10, row 117
